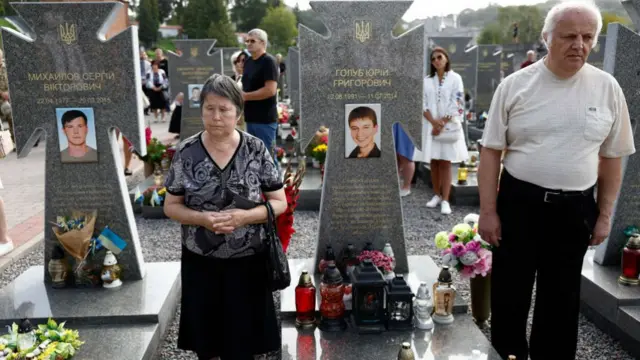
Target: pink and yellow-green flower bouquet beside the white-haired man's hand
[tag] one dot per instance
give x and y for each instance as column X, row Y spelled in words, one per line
column 464, row 250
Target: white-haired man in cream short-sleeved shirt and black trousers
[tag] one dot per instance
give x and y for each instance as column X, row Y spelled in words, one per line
column 564, row 126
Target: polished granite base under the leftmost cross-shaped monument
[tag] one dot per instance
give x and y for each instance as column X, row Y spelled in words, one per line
column 147, row 300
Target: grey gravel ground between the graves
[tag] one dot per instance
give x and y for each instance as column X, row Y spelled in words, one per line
column 159, row 240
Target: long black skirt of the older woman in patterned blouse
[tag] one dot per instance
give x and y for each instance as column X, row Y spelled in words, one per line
column 227, row 309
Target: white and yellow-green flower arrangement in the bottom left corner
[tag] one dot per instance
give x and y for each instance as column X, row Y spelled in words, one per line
column 49, row 341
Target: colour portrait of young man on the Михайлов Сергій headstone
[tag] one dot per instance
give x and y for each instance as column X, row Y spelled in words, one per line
column 77, row 135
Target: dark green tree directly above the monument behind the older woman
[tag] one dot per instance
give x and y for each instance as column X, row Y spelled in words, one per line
column 209, row 18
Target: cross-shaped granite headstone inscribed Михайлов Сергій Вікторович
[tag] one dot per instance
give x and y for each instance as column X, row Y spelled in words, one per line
column 63, row 67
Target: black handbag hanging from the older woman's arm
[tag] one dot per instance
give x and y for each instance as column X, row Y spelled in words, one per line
column 278, row 274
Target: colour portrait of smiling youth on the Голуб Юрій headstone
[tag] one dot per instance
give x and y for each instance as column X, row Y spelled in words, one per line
column 362, row 125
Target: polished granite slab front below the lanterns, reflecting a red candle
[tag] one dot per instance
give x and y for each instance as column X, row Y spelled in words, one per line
column 447, row 342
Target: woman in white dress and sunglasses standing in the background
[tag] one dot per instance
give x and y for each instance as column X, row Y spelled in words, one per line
column 442, row 135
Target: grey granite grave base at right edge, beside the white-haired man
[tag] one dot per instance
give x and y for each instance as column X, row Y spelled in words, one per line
column 614, row 308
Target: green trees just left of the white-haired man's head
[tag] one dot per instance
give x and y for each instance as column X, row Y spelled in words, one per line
column 529, row 18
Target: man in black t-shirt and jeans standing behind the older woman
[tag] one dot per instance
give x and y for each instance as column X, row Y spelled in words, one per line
column 259, row 89
